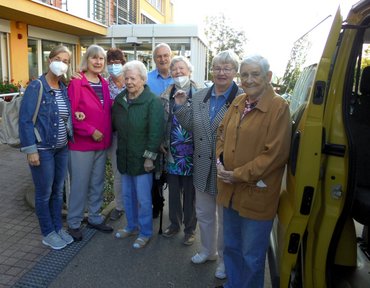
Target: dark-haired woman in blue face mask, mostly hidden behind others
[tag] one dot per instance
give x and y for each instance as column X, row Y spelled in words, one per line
column 116, row 82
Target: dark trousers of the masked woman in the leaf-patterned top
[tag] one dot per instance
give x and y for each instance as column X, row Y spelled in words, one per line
column 182, row 202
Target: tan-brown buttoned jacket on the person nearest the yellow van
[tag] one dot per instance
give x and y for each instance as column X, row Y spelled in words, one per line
column 254, row 148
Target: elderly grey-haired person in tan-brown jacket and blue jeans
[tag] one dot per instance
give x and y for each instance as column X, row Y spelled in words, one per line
column 252, row 149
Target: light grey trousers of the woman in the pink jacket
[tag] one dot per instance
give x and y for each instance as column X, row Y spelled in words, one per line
column 87, row 172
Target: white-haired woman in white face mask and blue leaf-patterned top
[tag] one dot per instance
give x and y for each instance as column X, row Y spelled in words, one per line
column 178, row 148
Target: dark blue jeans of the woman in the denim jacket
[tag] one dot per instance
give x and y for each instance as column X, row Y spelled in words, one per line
column 49, row 183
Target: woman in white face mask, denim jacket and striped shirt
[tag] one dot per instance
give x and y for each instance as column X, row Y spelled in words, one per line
column 47, row 155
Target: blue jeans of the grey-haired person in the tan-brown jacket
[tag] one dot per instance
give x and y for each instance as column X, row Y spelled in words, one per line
column 245, row 245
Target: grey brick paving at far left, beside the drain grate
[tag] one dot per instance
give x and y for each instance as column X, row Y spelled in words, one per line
column 20, row 237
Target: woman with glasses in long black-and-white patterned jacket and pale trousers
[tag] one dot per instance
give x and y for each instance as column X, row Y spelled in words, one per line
column 202, row 117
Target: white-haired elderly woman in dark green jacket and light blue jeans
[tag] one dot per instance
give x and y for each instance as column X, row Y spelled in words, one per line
column 136, row 118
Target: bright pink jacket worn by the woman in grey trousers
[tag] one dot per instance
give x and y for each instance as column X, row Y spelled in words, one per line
column 97, row 116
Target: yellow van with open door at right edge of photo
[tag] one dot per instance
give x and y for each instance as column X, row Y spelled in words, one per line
column 320, row 236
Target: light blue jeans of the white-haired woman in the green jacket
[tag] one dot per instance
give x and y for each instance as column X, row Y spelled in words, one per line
column 137, row 199
